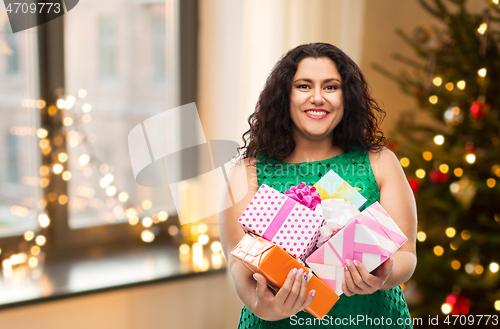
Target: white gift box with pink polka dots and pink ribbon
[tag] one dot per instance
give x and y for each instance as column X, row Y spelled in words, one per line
column 283, row 221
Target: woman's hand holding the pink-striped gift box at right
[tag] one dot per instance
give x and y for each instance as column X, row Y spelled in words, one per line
column 357, row 280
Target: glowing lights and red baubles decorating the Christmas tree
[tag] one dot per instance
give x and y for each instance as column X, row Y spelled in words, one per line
column 464, row 189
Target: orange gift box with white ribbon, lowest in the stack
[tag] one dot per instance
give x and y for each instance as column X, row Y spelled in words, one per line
column 264, row 257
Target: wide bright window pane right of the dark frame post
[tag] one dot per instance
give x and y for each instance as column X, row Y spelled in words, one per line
column 102, row 186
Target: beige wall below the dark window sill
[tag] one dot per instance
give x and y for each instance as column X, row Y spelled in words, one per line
column 203, row 303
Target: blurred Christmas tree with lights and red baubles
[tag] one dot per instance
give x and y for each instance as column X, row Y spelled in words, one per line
column 450, row 150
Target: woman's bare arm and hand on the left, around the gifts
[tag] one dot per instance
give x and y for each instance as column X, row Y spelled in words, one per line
column 252, row 288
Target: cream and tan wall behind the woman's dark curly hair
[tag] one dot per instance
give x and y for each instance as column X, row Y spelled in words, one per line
column 240, row 41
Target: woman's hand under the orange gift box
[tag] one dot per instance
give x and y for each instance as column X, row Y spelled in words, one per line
column 290, row 299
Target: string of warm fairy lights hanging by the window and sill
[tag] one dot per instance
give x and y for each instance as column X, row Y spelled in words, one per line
column 73, row 133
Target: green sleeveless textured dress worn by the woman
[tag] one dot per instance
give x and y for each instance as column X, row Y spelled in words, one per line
column 383, row 308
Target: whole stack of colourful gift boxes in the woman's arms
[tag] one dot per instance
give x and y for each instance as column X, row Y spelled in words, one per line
column 315, row 228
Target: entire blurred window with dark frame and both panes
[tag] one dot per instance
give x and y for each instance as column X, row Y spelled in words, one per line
column 86, row 104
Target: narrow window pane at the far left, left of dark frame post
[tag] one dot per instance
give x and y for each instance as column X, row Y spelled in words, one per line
column 21, row 197
